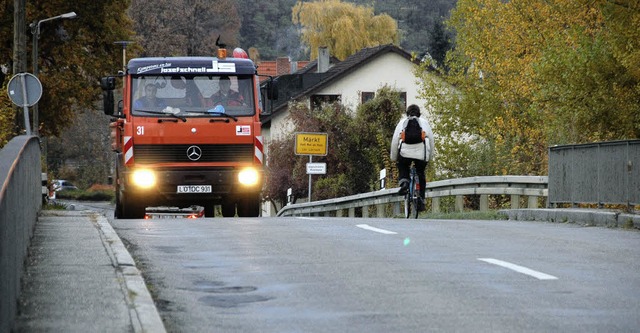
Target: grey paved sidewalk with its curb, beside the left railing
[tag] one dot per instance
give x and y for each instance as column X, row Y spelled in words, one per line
column 80, row 278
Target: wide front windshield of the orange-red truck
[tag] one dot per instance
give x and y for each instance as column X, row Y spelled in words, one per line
column 192, row 96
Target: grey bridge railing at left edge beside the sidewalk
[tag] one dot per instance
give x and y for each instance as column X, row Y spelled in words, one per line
column 20, row 202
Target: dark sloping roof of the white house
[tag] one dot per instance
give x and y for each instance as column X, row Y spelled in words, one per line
column 305, row 82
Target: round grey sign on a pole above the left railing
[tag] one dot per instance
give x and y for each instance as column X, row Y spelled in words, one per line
column 25, row 90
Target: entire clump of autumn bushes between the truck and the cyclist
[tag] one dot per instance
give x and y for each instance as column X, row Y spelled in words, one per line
column 358, row 149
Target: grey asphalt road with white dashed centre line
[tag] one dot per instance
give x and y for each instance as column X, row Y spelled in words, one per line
column 387, row 275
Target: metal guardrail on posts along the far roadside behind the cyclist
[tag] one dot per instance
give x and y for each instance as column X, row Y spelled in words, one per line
column 533, row 187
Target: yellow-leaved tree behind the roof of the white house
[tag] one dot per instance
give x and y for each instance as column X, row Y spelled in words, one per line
column 342, row 27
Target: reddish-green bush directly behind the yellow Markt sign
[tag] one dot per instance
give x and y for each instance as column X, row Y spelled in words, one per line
column 344, row 177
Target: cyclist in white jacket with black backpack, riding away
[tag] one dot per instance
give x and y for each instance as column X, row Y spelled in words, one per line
column 418, row 153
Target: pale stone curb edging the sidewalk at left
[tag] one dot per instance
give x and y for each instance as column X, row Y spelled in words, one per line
column 144, row 313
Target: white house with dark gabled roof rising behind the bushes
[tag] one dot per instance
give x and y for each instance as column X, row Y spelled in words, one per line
column 352, row 82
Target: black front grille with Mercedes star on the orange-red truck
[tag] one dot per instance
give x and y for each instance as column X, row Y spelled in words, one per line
column 178, row 153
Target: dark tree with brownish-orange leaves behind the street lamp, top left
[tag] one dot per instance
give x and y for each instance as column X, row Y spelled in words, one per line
column 72, row 55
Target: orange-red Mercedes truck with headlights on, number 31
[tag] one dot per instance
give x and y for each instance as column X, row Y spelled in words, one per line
column 187, row 132
